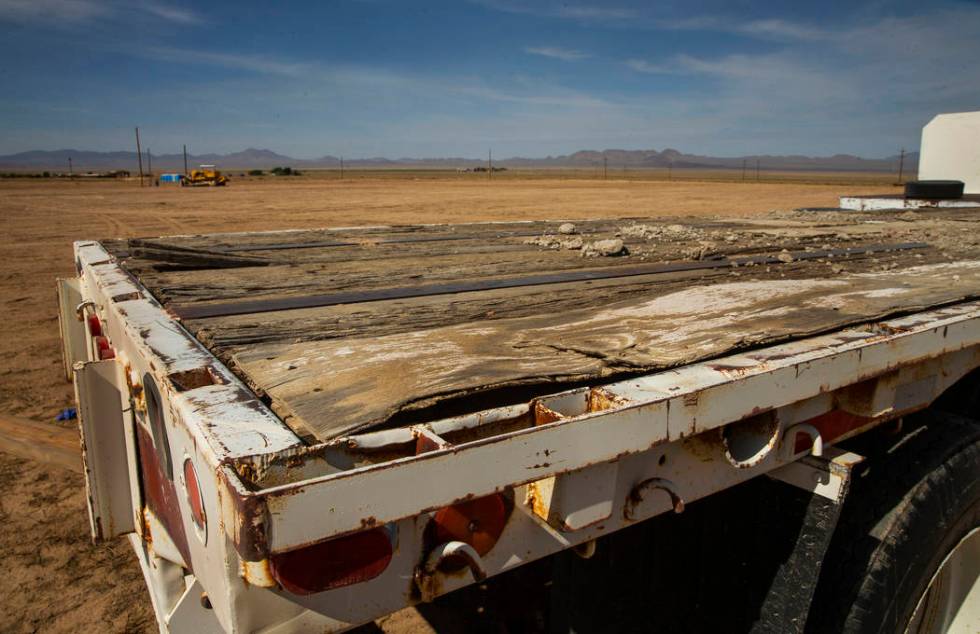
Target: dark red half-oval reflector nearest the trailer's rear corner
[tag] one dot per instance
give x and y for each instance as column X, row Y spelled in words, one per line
column 334, row 563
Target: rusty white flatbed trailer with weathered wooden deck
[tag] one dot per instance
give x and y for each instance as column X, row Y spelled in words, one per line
column 312, row 429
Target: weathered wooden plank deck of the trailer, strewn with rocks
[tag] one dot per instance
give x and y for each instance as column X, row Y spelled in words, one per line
column 346, row 329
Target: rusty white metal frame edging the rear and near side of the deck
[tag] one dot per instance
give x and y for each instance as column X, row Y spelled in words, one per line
column 267, row 492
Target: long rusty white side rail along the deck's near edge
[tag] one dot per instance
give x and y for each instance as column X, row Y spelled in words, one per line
column 657, row 409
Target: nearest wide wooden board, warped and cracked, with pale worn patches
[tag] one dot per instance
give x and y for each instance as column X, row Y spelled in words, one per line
column 332, row 387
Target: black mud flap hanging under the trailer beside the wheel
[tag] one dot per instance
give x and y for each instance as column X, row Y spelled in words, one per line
column 745, row 560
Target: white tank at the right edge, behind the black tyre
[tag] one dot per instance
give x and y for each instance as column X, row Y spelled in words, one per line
column 951, row 149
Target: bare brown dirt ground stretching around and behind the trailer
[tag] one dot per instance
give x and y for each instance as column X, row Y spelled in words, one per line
column 54, row 580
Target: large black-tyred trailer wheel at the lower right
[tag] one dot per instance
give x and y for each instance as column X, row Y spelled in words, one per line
column 906, row 552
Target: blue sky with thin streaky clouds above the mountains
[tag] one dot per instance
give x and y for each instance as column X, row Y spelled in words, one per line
column 376, row 78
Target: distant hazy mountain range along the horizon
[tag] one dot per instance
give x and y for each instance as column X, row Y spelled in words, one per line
column 83, row 161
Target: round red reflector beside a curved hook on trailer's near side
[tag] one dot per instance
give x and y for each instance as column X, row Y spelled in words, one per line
column 478, row 522
